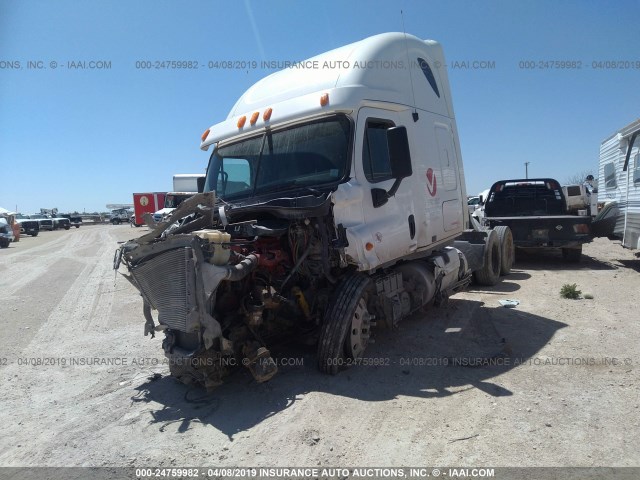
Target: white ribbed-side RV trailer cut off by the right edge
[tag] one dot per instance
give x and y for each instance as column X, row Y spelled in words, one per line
column 619, row 181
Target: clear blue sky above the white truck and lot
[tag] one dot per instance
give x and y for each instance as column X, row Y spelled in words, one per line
column 78, row 139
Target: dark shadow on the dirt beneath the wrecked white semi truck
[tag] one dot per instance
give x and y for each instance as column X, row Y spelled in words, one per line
column 457, row 347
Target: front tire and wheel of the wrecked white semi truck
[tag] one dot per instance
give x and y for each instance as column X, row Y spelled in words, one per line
column 345, row 329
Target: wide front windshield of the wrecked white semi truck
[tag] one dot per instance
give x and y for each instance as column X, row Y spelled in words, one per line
column 302, row 156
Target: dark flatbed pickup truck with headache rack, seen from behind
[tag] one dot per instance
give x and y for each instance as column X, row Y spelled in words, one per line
column 536, row 212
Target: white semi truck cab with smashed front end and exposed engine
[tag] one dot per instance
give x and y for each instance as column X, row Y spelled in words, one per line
column 334, row 203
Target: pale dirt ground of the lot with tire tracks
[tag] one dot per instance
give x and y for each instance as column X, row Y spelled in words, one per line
column 82, row 386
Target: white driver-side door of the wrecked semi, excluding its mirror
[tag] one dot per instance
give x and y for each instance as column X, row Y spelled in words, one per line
column 389, row 227
